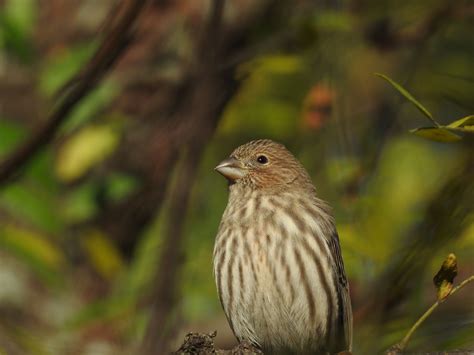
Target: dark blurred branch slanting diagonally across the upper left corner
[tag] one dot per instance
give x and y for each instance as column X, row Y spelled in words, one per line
column 111, row 48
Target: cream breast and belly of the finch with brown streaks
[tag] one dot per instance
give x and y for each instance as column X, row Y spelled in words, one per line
column 268, row 272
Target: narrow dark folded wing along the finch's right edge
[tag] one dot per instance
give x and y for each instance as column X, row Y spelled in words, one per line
column 345, row 314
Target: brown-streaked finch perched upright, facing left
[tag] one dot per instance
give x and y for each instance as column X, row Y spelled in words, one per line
column 277, row 260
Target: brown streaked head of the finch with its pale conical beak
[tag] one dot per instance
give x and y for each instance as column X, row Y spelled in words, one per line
column 264, row 164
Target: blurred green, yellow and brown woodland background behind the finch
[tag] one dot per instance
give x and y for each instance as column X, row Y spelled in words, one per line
column 107, row 229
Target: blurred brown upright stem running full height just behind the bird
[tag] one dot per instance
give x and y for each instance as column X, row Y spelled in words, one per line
column 199, row 114
